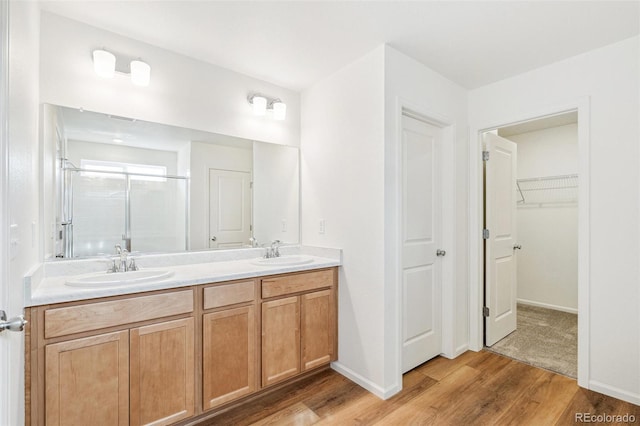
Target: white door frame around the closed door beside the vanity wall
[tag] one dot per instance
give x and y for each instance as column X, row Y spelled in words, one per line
column 393, row 274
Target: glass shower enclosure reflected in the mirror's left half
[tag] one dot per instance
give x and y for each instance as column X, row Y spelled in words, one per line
column 107, row 204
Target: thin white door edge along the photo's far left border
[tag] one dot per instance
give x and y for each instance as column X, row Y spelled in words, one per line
column 5, row 389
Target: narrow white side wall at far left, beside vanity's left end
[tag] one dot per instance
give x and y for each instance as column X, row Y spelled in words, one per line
column 23, row 185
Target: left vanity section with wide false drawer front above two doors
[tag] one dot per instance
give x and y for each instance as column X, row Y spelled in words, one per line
column 120, row 361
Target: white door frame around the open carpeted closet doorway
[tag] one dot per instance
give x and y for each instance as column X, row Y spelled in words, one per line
column 476, row 217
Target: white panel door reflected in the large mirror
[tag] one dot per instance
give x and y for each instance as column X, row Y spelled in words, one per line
column 229, row 208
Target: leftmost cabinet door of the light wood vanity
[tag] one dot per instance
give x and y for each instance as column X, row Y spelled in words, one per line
column 88, row 379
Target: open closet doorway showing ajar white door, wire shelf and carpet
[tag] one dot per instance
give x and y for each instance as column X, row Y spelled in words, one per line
column 531, row 260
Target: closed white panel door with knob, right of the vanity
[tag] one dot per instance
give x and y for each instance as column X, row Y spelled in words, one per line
column 421, row 224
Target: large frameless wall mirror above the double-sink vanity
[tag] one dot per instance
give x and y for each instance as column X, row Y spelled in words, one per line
column 155, row 188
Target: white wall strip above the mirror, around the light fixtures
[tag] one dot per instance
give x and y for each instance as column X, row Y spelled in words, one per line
column 183, row 91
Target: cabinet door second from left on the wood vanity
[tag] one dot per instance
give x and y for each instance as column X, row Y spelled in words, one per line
column 162, row 372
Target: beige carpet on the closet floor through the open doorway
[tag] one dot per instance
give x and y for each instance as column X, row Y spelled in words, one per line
column 545, row 338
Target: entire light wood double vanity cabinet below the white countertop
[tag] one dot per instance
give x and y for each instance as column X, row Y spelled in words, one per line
column 171, row 356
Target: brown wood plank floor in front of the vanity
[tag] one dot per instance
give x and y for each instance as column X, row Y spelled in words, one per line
column 477, row 388
